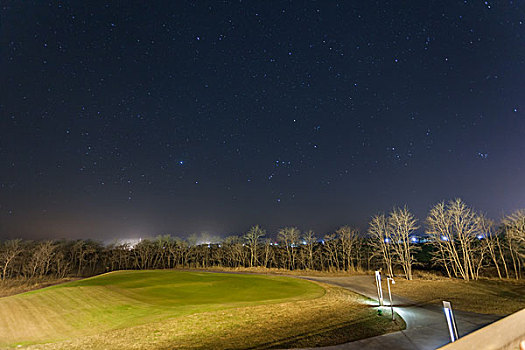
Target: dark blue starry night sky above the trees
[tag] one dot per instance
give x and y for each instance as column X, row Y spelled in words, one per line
column 138, row 118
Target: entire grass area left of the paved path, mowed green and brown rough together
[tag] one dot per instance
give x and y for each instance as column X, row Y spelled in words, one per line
column 177, row 309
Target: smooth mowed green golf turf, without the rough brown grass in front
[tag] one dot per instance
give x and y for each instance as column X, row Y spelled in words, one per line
column 124, row 299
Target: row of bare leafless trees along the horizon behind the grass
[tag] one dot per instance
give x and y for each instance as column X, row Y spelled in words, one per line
column 454, row 239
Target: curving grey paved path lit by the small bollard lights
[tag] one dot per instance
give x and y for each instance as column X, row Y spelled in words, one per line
column 426, row 324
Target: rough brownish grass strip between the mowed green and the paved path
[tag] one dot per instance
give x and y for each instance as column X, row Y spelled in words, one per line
column 337, row 317
